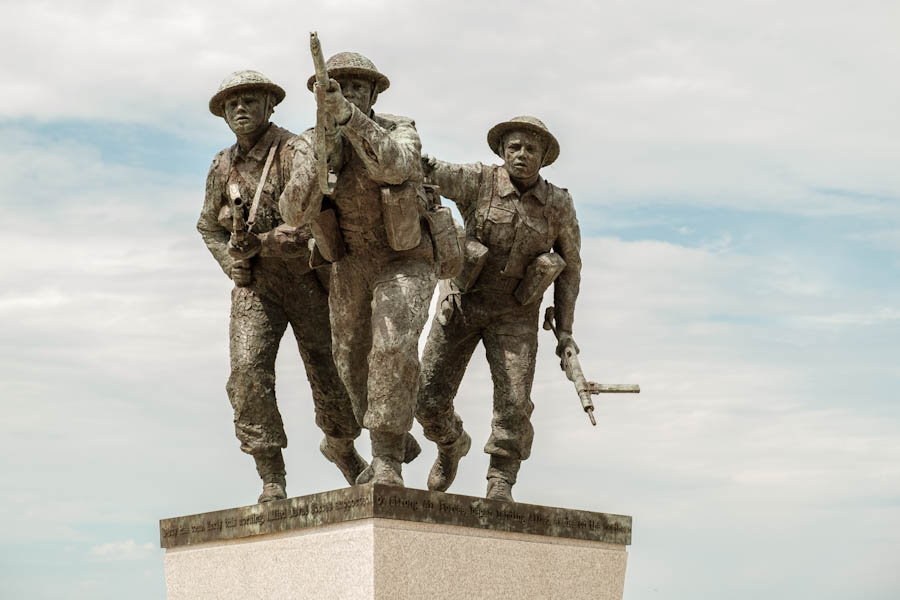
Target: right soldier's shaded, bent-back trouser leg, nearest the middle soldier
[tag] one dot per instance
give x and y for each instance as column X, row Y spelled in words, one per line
column 447, row 352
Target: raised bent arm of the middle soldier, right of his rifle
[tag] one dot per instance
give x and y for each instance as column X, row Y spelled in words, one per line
column 390, row 157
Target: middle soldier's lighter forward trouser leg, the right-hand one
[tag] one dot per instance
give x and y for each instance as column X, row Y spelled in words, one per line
column 401, row 295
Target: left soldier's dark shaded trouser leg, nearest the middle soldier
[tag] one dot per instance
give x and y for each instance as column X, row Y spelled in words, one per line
column 307, row 307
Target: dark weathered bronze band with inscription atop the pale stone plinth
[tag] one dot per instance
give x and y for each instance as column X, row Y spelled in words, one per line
column 392, row 502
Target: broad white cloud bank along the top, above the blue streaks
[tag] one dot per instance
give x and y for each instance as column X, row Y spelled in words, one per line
column 739, row 104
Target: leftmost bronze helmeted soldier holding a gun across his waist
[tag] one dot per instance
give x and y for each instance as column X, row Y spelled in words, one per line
column 274, row 284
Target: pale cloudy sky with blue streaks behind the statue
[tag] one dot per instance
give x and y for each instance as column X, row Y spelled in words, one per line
column 734, row 169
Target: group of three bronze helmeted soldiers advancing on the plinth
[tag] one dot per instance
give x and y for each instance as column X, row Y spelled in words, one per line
column 356, row 295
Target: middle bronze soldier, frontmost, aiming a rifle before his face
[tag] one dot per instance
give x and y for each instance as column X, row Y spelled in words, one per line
column 383, row 275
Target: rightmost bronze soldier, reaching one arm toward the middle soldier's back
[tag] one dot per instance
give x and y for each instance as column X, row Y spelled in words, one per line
column 521, row 233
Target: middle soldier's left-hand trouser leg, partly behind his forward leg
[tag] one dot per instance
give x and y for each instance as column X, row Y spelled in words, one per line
column 350, row 302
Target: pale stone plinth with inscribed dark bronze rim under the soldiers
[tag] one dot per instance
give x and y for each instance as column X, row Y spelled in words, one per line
column 379, row 542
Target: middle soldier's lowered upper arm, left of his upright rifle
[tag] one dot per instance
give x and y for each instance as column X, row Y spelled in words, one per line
column 301, row 199
